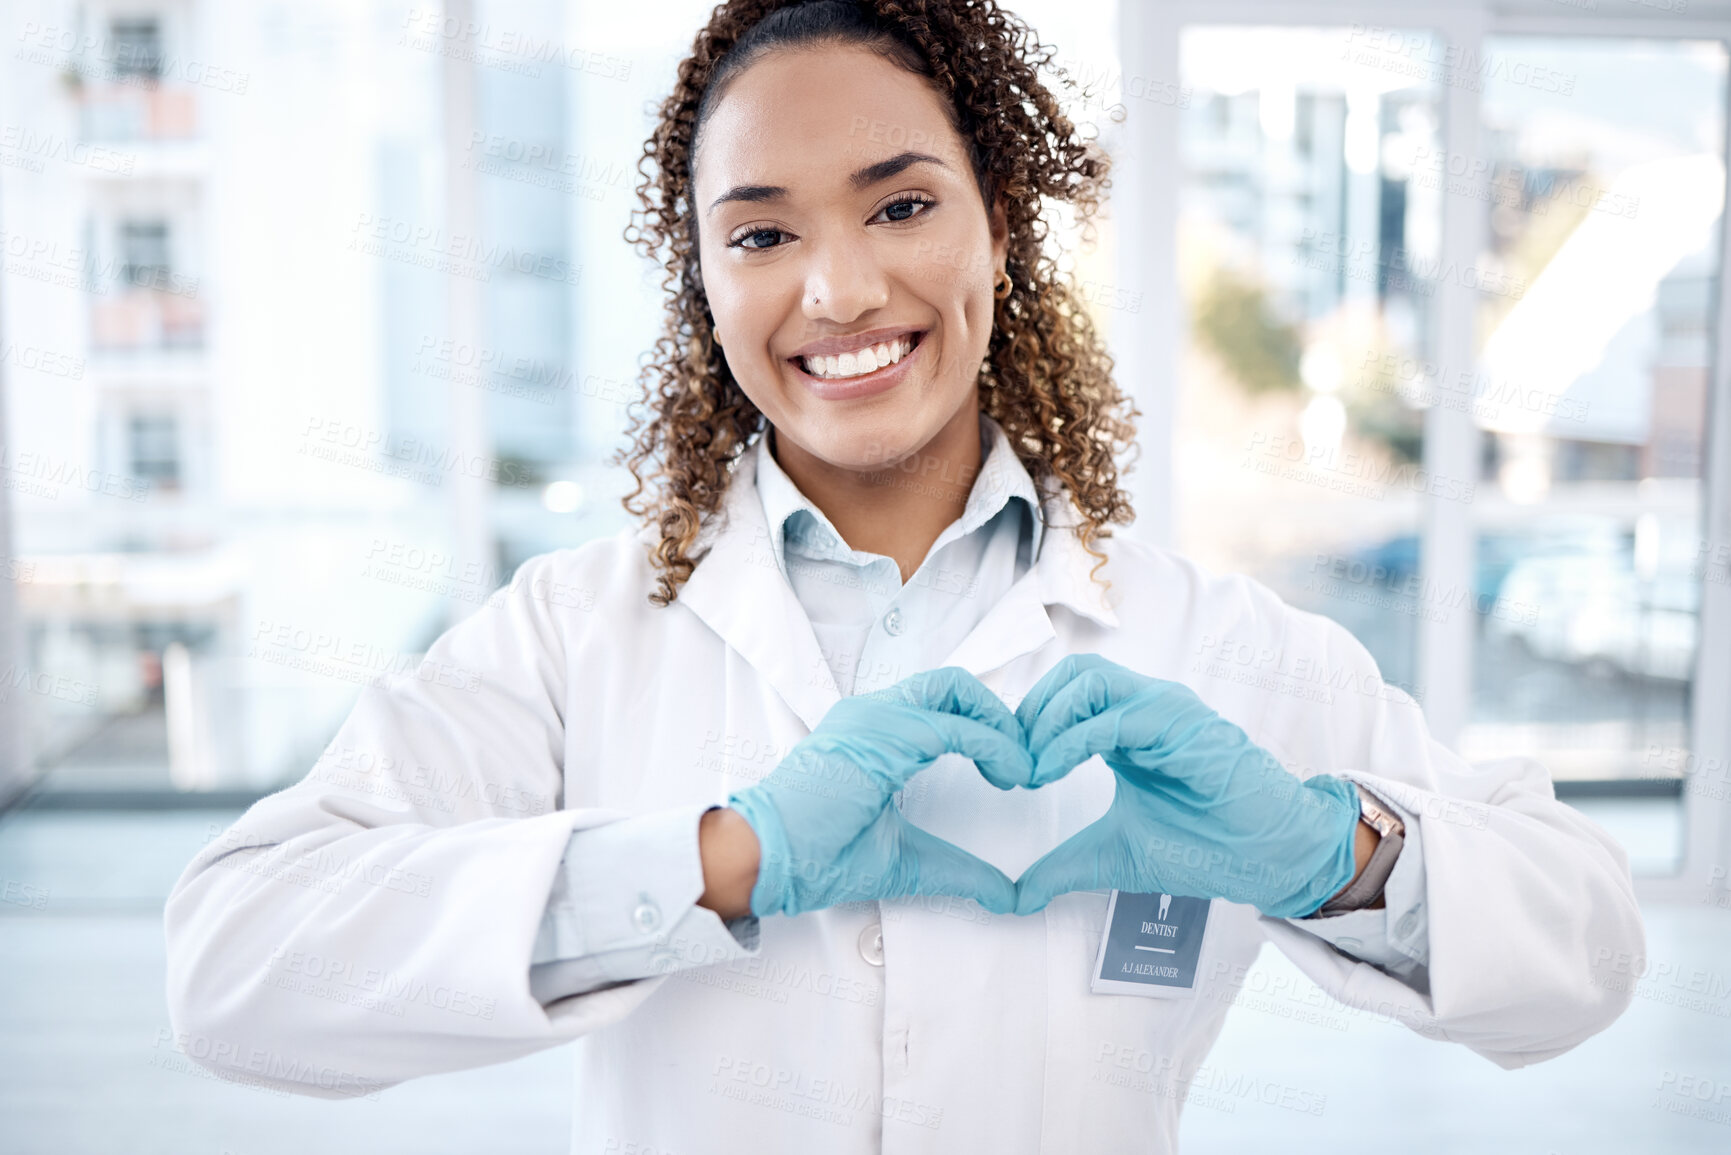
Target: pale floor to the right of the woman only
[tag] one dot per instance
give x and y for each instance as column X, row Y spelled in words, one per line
column 1379, row 1083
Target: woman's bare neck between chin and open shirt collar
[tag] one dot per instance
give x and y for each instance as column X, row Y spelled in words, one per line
column 903, row 510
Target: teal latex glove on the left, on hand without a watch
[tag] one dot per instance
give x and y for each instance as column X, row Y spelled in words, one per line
column 825, row 823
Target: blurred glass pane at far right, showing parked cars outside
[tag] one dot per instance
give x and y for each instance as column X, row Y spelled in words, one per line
column 1592, row 394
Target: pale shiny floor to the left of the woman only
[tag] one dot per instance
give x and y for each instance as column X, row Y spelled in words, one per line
column 84, row 1062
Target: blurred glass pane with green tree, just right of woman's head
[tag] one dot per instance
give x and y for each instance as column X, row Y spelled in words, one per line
column 1310, row 228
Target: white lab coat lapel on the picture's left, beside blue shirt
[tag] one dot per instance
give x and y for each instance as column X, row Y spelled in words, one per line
column 740, row 593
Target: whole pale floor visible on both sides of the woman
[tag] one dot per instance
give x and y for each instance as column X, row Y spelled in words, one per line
column 84, row 1069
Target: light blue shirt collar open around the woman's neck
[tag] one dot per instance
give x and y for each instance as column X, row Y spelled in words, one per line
column 795, row 522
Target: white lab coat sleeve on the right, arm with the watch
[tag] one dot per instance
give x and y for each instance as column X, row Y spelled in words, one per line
column 1526, row 900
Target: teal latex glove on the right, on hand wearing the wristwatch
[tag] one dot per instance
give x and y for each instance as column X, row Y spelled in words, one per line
column 1200, row 810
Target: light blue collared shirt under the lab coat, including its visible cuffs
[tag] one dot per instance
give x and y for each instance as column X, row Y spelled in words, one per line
column 629, row 889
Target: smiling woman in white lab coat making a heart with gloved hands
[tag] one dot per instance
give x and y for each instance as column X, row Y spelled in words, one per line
column 872, row 796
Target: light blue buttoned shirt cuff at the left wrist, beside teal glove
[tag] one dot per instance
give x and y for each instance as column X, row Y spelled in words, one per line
column 624, row 907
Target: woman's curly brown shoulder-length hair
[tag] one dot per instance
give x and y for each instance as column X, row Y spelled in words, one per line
column 1048, row 377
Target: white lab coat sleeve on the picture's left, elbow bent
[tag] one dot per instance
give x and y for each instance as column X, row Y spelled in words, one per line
column 375, row 922
